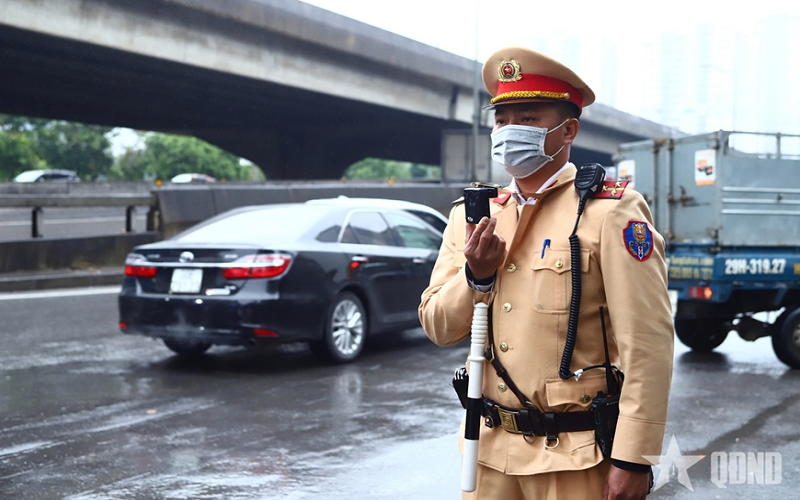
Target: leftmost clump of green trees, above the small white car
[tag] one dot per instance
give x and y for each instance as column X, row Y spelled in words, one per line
column 32, row 143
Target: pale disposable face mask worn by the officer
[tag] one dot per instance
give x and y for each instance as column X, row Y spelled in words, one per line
column 520, row 149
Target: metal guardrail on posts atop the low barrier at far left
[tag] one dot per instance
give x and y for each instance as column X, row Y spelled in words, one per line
column 37, row 202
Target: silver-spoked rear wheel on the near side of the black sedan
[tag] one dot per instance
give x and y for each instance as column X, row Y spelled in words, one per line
column 345, row 329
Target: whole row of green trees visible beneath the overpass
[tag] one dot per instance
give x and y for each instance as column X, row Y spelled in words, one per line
column 32, row 143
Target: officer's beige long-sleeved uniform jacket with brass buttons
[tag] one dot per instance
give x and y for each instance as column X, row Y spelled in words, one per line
column 530, row 307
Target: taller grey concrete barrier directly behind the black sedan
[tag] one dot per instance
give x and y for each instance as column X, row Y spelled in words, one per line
column 180, row 207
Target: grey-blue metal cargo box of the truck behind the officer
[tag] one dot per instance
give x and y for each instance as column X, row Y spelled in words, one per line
column 702, row 189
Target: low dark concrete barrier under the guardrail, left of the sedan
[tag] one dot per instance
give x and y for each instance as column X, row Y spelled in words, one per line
column 70, row 253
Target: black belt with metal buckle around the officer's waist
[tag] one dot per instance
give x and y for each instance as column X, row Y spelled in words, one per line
column 532, row 422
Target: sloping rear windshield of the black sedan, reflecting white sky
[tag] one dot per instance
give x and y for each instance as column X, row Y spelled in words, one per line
column 279, row 222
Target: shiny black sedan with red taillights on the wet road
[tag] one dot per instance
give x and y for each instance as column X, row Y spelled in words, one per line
column 329, row 274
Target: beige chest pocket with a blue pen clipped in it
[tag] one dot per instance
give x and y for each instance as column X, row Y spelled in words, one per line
column 552, row 280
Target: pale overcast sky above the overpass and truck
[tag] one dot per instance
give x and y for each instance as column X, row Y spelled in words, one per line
column 617, row 46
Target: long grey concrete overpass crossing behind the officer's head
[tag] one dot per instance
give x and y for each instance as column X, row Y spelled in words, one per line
column 300, row 91
